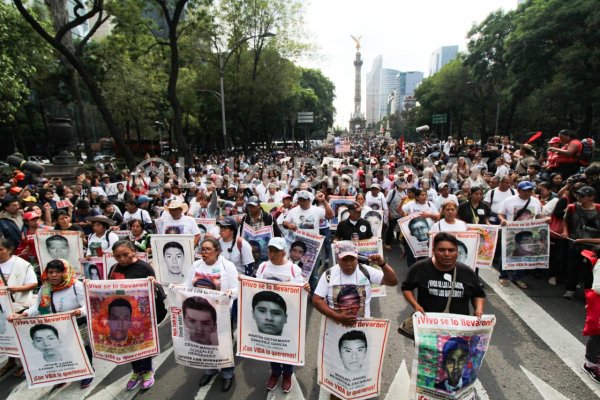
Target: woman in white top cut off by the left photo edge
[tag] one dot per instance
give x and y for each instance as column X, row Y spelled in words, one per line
column 19, row 277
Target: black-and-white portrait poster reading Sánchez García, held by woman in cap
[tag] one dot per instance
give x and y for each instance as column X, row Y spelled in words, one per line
column 272, row 320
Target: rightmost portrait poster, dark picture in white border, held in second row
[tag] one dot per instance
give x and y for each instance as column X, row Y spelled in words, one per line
column 525, row 245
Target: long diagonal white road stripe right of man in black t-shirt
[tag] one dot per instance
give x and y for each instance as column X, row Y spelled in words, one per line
column 570, row 350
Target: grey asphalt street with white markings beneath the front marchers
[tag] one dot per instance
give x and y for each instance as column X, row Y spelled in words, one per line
column 536, row 353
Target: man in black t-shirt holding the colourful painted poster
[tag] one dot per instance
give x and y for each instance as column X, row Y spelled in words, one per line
column 432, row 278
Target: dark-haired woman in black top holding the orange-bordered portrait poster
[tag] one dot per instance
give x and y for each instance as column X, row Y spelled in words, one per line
column 130, row 267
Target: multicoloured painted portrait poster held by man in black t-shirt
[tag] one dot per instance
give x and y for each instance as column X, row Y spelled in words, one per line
column 449, row 350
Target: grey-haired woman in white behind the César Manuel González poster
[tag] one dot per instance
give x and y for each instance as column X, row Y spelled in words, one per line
column 216, row 273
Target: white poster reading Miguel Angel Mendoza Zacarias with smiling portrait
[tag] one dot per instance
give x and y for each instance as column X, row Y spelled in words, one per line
column 350, row 359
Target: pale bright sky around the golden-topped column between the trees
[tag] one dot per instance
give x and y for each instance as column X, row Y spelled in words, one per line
column 405, row 33
